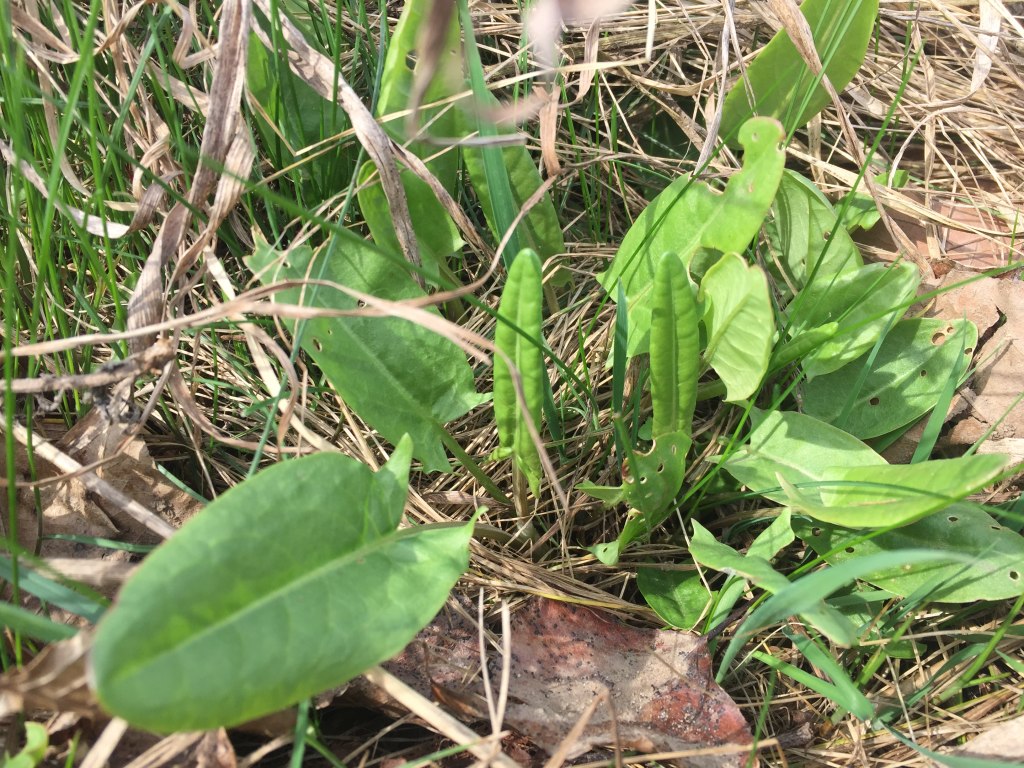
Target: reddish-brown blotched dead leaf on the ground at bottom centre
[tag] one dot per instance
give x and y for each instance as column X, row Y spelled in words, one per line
column 657, row 689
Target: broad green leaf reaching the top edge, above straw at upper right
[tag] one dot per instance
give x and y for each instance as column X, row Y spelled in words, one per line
column 783, row 86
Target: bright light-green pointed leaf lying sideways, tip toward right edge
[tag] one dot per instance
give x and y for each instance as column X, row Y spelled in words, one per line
column 872, row 497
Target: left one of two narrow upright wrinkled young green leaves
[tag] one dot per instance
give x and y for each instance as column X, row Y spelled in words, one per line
column 521, row 307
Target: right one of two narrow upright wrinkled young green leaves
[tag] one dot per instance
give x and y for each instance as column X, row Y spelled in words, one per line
column 675, row 355
